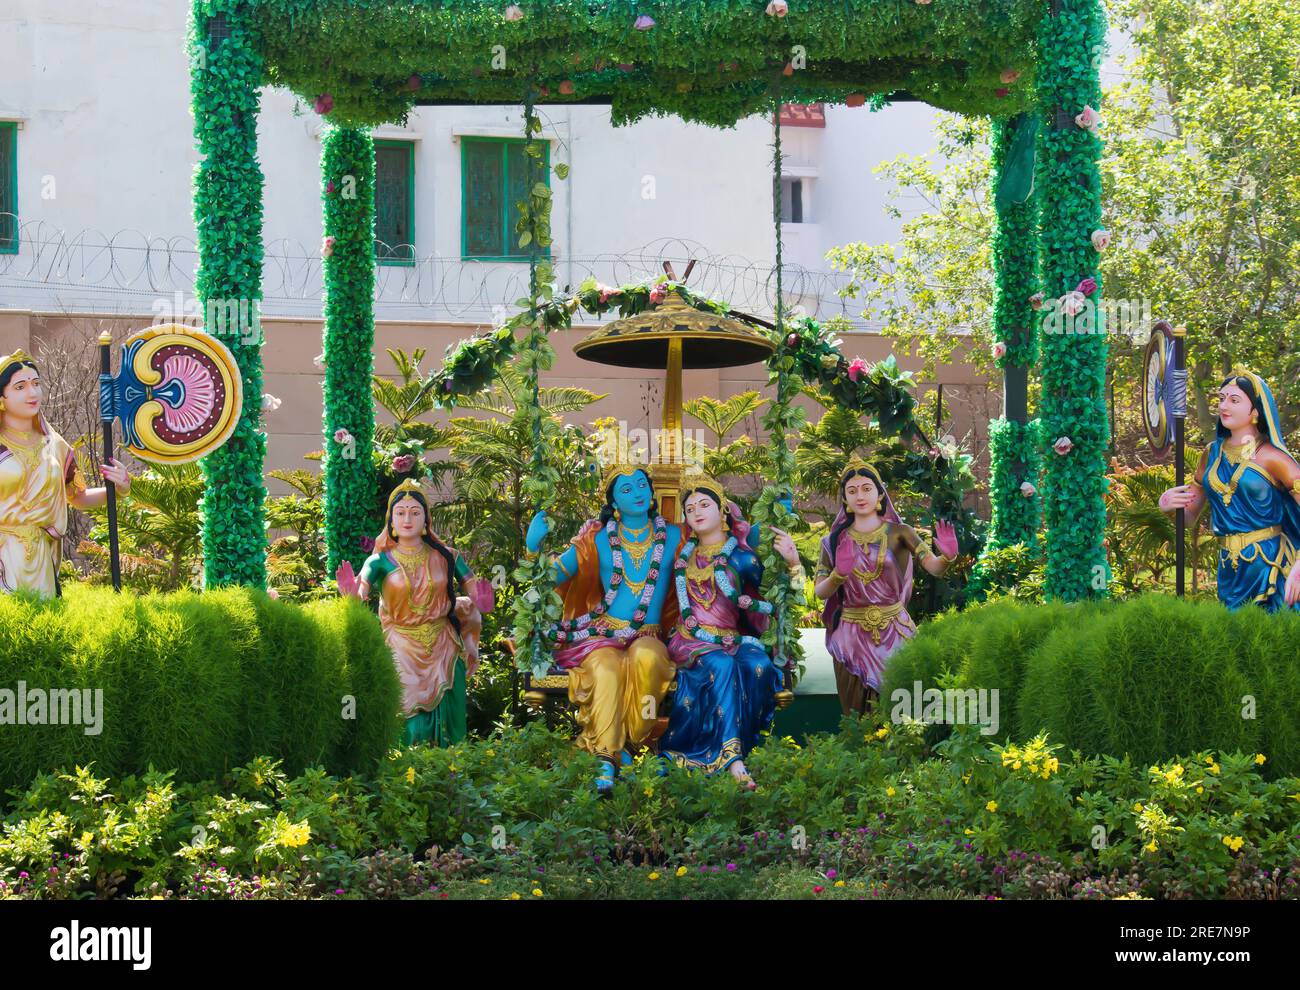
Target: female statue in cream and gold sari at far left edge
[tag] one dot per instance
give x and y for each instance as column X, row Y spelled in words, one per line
column 38, row 481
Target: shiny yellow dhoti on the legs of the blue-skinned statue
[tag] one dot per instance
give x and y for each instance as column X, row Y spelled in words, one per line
column 618, row 692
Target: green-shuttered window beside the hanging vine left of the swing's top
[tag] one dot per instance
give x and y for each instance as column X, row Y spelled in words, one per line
column 493, row 180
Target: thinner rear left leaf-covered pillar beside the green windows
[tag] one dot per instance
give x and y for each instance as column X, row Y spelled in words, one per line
column 348, row 193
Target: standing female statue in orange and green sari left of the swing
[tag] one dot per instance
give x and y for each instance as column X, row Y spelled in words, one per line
column 432, row 631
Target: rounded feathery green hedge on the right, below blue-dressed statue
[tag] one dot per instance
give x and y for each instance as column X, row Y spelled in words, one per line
column 1142, row 678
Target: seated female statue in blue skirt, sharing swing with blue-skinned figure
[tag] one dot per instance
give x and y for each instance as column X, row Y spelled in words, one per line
column 727, row 683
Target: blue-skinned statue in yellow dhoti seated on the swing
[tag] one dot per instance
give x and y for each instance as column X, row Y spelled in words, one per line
column 617, row 600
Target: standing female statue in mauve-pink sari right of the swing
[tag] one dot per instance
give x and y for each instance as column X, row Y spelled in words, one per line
column 865, row 577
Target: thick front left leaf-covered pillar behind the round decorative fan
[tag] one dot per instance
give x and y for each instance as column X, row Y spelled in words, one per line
column 226, row 76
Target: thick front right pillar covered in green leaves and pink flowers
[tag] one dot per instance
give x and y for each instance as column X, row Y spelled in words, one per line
column 1073, row 410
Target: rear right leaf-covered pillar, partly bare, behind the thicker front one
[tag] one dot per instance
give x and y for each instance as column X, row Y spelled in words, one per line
column 1013, row 438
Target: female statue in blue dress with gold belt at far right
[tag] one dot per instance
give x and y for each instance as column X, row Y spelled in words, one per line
column 1253, row 485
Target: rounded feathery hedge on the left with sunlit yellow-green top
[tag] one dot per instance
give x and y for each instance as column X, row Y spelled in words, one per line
column 200, row 683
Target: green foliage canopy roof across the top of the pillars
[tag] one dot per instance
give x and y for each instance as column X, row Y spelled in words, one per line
column 713, row 62
